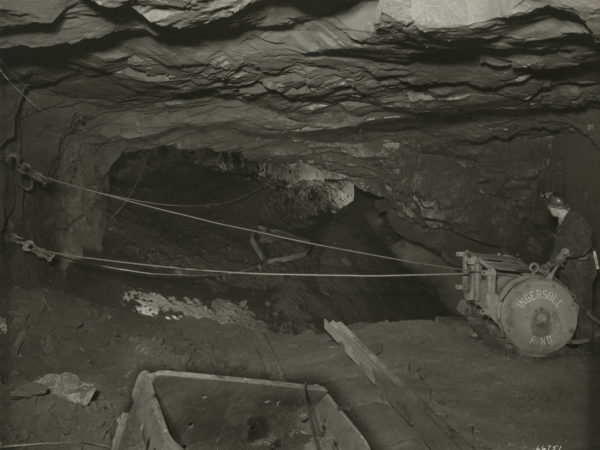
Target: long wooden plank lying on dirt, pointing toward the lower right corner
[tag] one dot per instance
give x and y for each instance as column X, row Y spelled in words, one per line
column 433, row 430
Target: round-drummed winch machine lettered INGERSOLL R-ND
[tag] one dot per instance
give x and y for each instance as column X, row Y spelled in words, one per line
column 535, row 313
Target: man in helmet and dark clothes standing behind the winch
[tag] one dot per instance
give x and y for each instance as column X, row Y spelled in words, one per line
column 572, row 252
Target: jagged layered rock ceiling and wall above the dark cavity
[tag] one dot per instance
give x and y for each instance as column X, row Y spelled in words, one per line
column 458, row 111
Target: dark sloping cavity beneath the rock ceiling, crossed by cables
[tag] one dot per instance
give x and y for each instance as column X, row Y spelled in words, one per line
column 224, row 190
